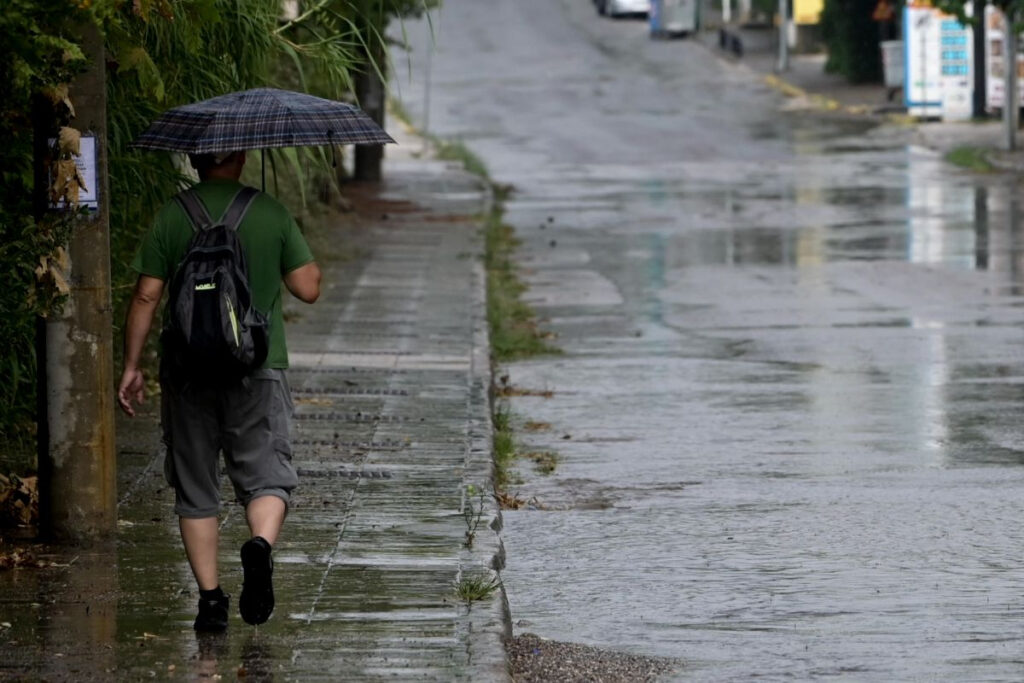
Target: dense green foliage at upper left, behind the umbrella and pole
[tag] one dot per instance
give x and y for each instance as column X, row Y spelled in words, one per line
column 160, row 54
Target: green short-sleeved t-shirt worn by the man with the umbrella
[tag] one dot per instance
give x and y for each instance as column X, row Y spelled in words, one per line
column 270, row 237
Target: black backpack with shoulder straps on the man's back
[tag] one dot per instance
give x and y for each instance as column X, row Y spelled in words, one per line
column 212, row 333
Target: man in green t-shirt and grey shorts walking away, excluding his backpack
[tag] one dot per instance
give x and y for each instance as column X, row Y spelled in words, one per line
column 247, row 420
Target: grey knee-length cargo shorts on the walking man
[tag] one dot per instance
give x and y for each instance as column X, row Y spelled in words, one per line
column 249, row 423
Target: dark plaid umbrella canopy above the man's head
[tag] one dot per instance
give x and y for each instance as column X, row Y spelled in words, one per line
column 261, row 119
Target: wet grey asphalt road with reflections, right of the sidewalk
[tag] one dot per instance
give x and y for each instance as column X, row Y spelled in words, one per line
column 789, row 413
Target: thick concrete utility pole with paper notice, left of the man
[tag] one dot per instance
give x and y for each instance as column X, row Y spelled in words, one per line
column 78, row 484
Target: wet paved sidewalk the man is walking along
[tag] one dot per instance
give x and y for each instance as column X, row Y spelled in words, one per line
column 391, row 376
